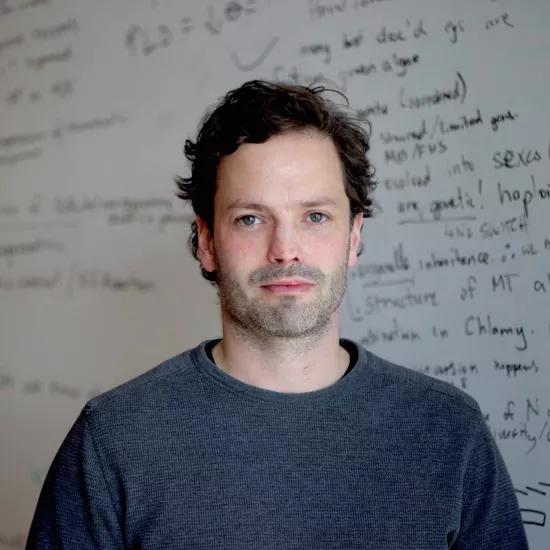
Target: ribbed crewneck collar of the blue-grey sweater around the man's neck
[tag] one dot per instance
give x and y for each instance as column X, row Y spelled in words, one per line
column 339, row 388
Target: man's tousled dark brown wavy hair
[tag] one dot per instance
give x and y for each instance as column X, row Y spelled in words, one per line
column 253, row 113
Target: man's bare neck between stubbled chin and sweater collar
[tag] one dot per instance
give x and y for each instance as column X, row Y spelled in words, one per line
column 283, row 365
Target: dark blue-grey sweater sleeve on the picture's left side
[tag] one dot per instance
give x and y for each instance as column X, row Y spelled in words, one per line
column 78, row 506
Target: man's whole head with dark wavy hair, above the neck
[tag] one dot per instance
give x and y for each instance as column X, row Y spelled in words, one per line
column 280, row 184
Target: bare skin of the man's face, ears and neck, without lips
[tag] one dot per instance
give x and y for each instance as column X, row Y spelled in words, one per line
column 282, row 342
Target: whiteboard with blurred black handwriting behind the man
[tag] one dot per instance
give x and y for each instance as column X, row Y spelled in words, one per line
column 96, row 281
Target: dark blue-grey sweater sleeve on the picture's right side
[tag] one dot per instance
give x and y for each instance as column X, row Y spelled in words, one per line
column 491, row 517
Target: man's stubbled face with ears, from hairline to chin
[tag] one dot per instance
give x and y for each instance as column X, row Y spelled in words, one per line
column 281, row 213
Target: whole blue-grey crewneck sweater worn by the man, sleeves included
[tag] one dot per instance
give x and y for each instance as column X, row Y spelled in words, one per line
column 187, row 457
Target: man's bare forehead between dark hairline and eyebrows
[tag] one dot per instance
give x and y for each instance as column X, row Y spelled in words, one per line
column 290, row 166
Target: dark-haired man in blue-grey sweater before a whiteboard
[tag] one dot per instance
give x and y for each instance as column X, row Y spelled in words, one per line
column 279, row 435
